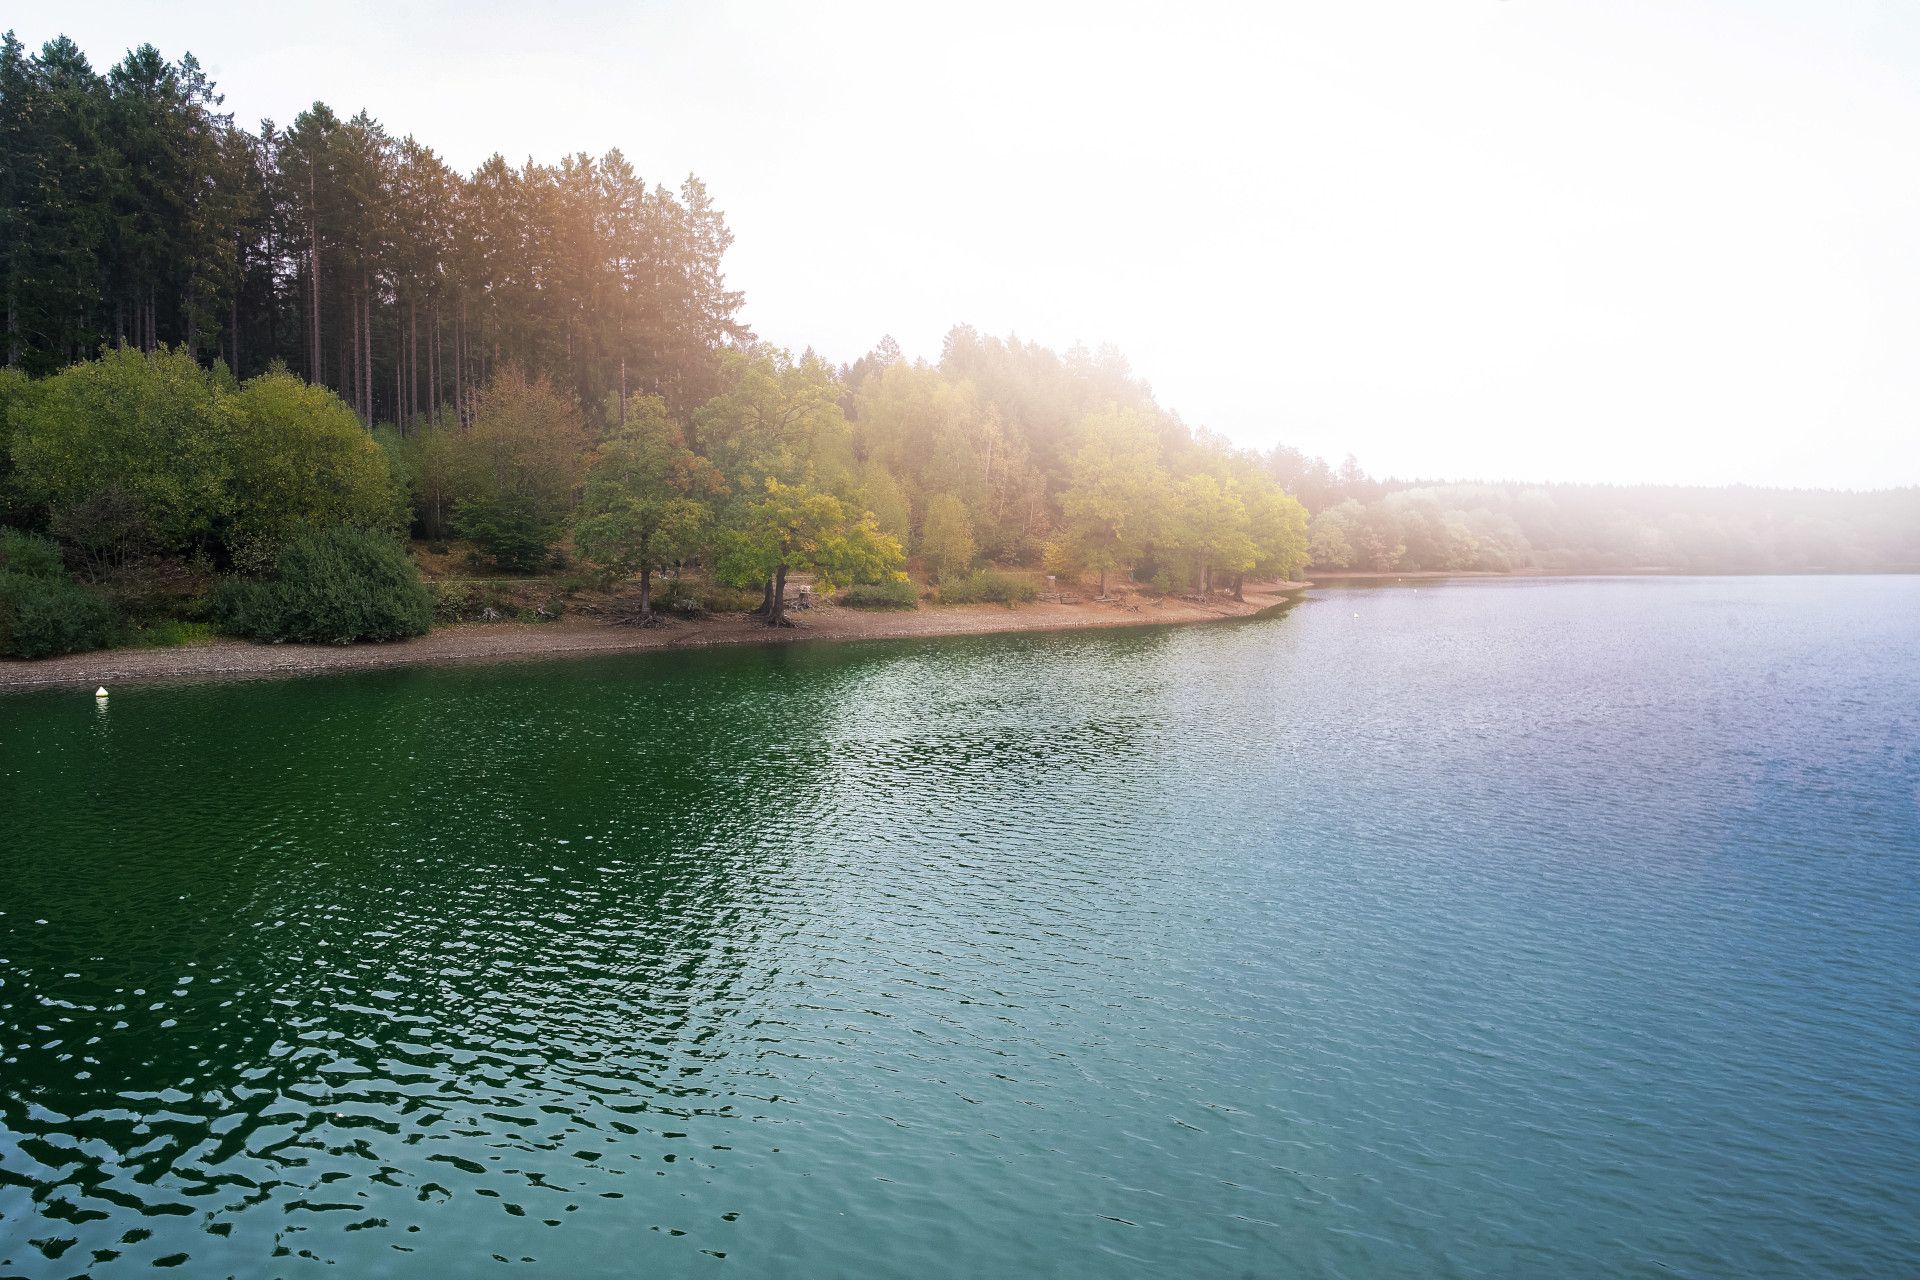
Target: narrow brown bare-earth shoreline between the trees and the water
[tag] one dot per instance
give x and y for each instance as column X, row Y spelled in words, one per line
column 575, row 636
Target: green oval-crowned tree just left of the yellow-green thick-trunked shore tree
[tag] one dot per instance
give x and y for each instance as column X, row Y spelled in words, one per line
column 646, row 504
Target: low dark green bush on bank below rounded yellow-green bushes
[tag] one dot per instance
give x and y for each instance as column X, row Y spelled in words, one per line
column 331, row 588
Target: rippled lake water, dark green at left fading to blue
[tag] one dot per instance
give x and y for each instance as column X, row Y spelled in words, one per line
column 1485, row 928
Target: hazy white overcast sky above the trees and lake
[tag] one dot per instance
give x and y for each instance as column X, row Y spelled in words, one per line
column 1481, row 239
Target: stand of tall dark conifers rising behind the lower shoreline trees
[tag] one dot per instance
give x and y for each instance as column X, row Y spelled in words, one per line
column 133, row 212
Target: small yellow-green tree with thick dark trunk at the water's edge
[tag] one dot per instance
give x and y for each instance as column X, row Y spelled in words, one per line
column 798, row 529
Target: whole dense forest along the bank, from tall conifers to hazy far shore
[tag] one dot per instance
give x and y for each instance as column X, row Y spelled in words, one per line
column 243, row 364
